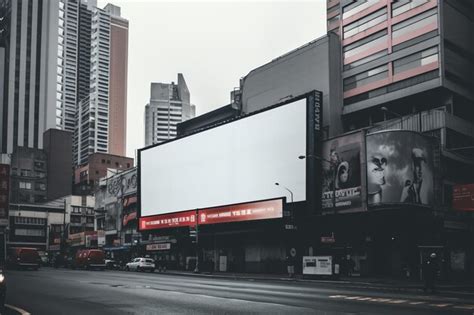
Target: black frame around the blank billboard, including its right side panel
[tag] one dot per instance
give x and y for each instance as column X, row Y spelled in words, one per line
column 314, row 131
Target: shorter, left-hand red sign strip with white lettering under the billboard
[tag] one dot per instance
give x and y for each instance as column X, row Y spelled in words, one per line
column 179, row 219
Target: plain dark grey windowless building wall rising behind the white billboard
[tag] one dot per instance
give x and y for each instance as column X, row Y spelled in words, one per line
column 315, row 66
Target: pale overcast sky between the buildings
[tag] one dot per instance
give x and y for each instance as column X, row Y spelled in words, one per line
column 212, row 43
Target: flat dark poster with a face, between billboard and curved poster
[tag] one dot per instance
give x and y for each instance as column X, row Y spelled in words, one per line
column 342, row 172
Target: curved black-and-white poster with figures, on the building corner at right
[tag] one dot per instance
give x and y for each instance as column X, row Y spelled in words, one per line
column 399, row 168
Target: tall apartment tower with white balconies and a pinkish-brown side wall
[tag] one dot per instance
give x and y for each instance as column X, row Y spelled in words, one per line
column 101, row 113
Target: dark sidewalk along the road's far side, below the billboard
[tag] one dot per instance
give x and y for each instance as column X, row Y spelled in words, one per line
column 400, row 285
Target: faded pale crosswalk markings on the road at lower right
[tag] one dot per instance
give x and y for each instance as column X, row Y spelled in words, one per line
column 440, row 305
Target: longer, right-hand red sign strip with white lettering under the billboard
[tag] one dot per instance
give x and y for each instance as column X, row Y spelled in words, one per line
column 269, row 209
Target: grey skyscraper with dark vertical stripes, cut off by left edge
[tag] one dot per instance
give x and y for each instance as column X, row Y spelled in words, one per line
column 33, row 72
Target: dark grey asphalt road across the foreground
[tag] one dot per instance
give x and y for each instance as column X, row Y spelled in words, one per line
column 63, row 291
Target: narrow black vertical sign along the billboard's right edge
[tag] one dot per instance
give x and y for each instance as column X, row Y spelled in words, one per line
column 313, row 148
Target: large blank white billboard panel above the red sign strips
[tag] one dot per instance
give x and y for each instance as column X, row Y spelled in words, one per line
column 234, row 163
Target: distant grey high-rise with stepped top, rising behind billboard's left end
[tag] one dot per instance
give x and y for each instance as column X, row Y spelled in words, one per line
column 169, row 105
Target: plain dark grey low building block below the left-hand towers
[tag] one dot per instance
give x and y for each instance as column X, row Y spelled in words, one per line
column 58, row 147
